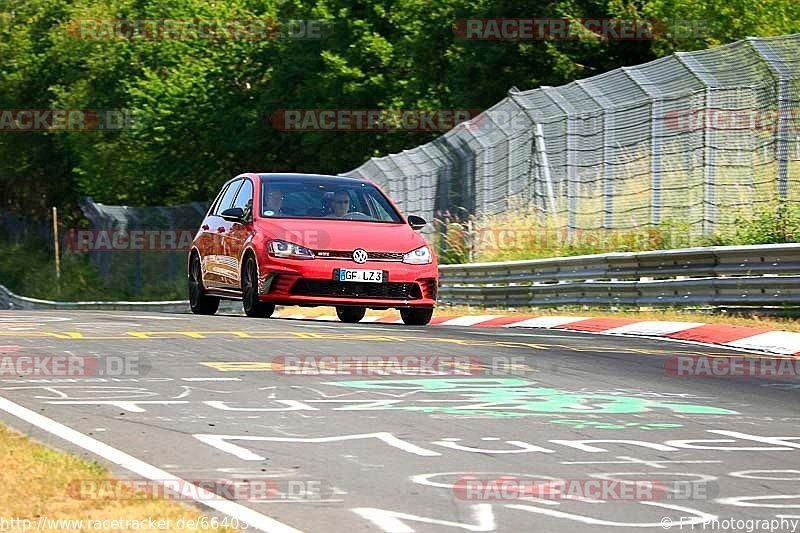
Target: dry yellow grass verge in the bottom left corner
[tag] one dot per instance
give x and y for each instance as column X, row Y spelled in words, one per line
column 38, row 482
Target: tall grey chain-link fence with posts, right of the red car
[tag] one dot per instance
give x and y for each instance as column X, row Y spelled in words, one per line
column 696, row 139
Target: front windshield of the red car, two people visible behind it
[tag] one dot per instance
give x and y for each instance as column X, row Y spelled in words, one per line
column 327, row 199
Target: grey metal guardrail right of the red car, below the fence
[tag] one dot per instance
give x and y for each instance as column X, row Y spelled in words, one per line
column 762, row 275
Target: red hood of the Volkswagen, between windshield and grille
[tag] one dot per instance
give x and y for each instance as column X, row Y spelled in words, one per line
column 345, row 235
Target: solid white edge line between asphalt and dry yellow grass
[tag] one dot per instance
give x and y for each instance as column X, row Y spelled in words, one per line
column 234, row 510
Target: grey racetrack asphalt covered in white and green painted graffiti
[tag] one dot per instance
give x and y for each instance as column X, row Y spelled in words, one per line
column 516, row 442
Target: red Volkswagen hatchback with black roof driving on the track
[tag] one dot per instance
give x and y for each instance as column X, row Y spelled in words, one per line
column 309, row 240
